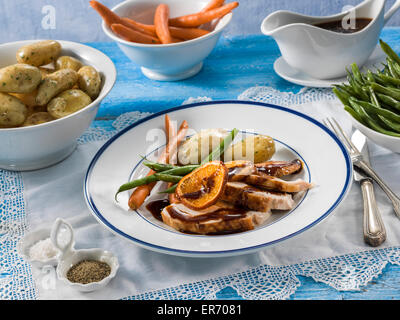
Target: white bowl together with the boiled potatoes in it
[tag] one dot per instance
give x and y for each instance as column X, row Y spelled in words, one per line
column 50, row 92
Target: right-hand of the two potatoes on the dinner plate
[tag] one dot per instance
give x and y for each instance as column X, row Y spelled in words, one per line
column 258, row 148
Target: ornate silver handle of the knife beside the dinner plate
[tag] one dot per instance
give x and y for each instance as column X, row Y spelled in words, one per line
column 374, row 229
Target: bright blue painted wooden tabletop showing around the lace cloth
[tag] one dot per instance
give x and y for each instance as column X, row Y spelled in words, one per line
column 235, row 65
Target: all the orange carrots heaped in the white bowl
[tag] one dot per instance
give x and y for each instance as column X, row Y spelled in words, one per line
column 165, row 30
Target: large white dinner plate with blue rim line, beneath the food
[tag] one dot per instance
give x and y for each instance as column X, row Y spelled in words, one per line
column 327, row 165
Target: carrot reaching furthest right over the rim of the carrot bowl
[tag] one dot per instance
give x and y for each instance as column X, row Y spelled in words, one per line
column 197, row 19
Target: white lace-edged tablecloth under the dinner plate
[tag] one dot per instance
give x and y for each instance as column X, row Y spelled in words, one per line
column 333, row 252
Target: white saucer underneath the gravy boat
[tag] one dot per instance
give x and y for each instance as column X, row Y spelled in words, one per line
column 285, row 71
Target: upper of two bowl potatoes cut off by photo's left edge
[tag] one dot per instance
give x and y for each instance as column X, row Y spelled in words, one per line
column 19, row 78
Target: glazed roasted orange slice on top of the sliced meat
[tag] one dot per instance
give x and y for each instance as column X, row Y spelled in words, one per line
column 202, row 188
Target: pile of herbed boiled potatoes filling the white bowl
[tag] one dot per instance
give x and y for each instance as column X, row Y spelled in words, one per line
column 44, row 86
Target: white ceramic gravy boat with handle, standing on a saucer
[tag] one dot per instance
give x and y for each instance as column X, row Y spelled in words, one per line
column 321, row 53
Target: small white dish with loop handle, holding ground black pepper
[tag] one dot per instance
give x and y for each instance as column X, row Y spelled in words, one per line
column 70, row 257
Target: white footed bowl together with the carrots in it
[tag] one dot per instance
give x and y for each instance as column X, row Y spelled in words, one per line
column 169, row 40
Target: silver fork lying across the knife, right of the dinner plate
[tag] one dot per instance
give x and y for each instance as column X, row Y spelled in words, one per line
column 358, row 161
